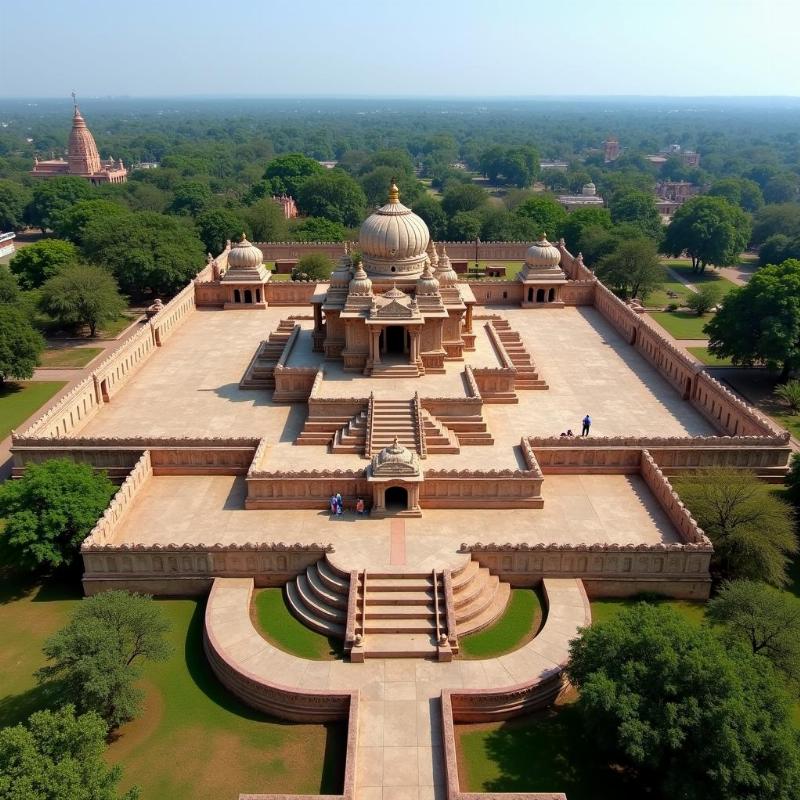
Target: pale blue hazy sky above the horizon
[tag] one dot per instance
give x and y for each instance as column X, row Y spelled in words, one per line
column 405, row 47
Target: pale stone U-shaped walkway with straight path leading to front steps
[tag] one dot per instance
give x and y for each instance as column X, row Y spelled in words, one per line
column 400, row 753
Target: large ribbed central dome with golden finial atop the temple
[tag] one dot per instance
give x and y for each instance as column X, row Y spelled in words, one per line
column 394, row 240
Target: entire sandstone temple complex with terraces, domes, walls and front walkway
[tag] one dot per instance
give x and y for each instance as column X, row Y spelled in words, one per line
column 440, row 412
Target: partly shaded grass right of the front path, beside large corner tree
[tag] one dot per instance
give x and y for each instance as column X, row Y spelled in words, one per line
column 546, row 752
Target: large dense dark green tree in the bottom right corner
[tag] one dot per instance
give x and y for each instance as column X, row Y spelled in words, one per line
column 661, row 697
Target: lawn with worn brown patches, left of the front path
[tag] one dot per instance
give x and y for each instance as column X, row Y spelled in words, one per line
column 193, row 738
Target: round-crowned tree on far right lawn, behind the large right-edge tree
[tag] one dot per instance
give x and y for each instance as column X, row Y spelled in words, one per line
column 710, row 230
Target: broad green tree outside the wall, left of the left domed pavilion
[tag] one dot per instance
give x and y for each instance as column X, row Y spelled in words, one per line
column 146, row 252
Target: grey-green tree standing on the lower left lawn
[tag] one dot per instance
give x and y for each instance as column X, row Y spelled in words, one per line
column 95, row 659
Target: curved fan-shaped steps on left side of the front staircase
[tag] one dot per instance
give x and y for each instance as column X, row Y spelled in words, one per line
column 318, row 598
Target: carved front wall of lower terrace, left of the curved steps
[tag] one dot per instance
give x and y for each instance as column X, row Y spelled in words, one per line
column 189, row 569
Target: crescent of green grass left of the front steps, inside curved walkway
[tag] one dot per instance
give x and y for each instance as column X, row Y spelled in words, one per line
column 278, row 625
